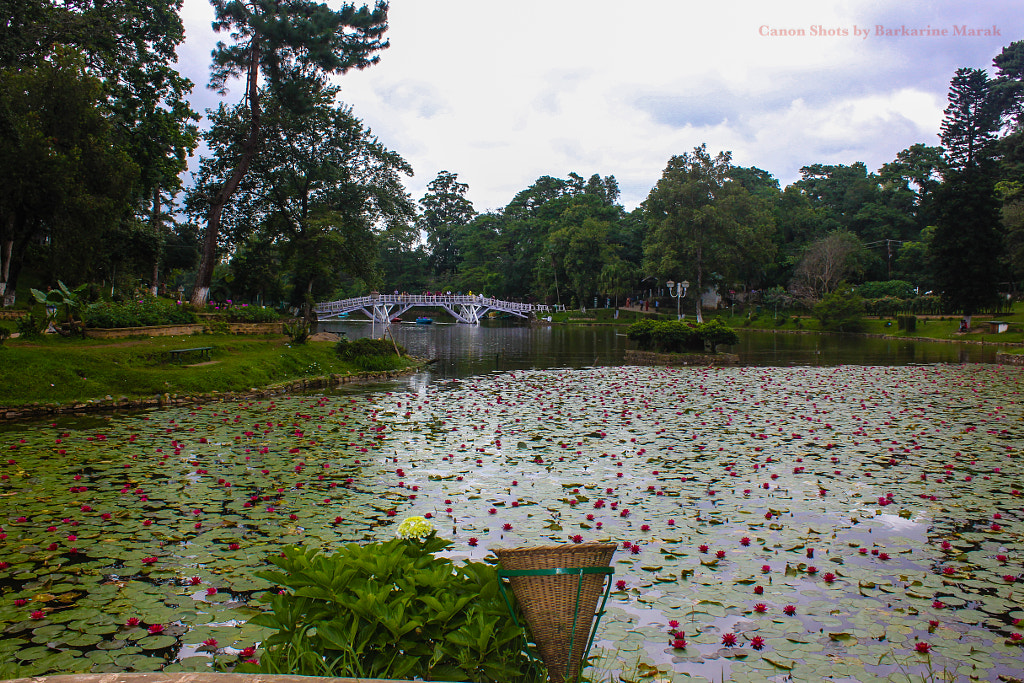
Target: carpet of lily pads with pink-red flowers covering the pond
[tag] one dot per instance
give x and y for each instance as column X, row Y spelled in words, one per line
column 797, row 522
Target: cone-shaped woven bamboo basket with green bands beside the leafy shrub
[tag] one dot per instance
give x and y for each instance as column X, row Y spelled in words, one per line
column 553, row 605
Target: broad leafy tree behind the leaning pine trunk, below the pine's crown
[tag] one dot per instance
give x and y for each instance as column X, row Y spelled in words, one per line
column 321, row 192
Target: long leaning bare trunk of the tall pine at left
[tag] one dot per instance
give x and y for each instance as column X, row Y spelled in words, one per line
column 204, row 277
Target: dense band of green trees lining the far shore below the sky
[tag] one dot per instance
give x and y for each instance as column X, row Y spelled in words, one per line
column 297, row 201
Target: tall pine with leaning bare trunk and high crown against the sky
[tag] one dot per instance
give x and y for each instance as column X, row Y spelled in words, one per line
column 293, row 46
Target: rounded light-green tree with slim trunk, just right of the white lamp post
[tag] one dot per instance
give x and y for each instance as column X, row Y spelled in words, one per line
column 704, row 226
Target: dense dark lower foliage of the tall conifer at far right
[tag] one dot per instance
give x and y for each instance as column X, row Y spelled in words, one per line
column 966, row 245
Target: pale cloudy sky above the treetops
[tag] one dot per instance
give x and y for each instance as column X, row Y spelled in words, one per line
column 501, row 94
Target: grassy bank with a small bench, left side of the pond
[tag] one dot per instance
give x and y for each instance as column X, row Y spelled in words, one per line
column 66, row 371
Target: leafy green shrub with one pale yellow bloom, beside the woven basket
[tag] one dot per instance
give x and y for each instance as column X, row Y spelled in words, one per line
column 391, row 611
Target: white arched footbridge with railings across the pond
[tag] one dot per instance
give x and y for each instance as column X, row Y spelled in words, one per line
column 470, row 309
